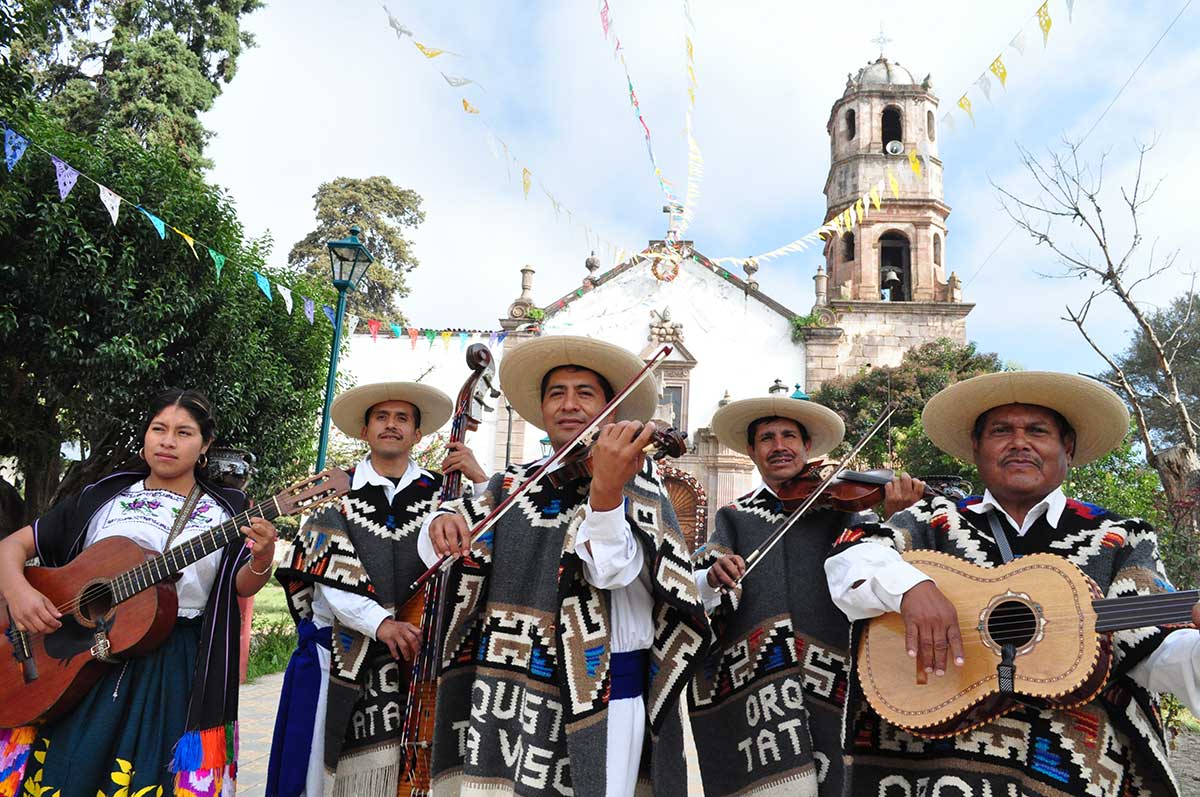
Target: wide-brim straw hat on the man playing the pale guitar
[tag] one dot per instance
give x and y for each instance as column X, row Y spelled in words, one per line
column 1097, row 415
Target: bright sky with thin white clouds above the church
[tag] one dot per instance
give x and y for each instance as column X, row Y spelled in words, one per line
column 332, row 91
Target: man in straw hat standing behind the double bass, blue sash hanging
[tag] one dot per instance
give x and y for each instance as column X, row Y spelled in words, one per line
column 344, row 694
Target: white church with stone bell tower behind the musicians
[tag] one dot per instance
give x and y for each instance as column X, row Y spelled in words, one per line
column 881, row 290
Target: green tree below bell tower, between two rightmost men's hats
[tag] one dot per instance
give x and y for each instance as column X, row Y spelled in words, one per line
column 923, row 371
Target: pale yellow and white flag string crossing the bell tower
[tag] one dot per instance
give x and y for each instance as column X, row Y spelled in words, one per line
column 873, row 200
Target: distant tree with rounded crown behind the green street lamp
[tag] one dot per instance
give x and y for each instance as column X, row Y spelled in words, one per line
column 382, row 211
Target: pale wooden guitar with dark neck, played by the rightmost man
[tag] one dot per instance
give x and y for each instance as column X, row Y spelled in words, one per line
column 1035, row 632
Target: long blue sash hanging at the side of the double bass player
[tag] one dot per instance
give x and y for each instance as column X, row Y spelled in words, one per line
column 292, row 742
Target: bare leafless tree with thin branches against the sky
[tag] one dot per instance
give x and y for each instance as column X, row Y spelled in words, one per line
column 1071, row 194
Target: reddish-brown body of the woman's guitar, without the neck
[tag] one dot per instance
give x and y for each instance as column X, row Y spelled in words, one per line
column 97, row 632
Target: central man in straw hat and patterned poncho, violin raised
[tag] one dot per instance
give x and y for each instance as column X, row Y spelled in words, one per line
column 577, row 622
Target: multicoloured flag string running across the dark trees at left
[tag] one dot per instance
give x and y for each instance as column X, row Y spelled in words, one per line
column 17, row 145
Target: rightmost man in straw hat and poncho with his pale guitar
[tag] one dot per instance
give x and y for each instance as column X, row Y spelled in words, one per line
column 1022, row 730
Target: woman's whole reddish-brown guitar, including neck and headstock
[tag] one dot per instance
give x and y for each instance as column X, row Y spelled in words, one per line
column 118, row 601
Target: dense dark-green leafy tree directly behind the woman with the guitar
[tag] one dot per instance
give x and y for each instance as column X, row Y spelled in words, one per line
column 95, row 319
